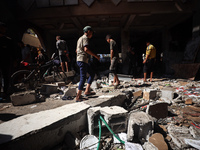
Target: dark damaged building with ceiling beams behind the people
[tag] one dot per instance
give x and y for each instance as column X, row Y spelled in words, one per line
column 171, row 25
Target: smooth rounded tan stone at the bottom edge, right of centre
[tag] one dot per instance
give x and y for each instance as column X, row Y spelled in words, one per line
column 158, row 140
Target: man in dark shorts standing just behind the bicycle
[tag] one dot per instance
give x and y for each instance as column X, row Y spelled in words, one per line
column 63, row 53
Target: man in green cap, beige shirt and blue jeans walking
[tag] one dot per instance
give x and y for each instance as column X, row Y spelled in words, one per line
column 83, row 52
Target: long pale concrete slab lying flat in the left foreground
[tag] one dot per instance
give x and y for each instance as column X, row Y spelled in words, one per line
column 45, row 128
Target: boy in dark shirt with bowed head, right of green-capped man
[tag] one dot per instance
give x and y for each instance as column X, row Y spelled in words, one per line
column 114, row 58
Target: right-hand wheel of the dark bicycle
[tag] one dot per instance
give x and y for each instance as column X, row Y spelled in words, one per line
column 59, row 75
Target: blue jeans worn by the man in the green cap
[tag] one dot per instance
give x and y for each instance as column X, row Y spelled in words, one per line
column 84, row 69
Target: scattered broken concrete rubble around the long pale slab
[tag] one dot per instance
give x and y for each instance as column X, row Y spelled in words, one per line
column 163, row 114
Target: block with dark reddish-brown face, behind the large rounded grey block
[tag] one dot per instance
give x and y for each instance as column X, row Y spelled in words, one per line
column 158, row 109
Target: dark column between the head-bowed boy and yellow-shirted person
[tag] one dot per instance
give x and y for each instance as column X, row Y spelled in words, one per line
column 125, row 38
